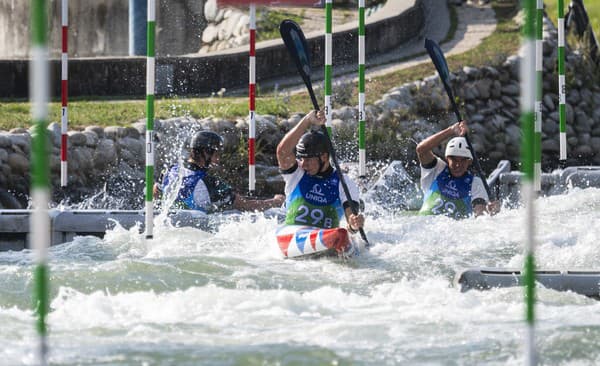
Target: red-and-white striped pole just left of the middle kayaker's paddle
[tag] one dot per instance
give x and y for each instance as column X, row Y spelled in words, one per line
column 252, row 102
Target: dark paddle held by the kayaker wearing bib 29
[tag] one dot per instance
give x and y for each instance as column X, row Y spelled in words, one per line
column 294, row 40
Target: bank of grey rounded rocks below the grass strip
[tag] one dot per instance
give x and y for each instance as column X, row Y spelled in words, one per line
column 109, row 162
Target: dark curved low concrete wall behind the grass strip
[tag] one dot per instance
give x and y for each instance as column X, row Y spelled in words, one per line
column 189, row 75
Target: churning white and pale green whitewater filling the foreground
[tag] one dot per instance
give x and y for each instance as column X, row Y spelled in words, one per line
column 189, row 297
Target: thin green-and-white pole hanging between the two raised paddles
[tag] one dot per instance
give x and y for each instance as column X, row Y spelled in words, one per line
column 362, row 154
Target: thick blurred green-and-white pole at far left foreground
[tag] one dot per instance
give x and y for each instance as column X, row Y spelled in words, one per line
column 39, row 90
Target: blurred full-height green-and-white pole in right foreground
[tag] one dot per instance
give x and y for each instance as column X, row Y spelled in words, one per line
column 528, row 89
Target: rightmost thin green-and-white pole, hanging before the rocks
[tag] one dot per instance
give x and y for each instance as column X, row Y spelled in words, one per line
column 562, row 88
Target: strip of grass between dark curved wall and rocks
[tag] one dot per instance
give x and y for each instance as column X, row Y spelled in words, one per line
column 108, row 112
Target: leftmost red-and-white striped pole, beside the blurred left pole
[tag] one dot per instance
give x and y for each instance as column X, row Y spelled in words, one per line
column 64, row 93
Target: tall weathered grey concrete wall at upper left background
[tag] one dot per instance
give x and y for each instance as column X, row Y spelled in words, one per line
column 100, row 28
